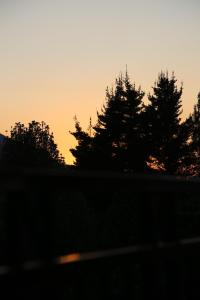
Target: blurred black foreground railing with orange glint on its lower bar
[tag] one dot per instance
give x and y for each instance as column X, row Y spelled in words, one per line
column 68, row 235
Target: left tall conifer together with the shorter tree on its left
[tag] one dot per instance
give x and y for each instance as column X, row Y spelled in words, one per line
column 118, row 141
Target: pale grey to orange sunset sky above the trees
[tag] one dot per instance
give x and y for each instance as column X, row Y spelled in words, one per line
column 58, row 56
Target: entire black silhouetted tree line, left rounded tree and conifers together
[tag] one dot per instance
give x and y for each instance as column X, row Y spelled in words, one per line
column 129, row 135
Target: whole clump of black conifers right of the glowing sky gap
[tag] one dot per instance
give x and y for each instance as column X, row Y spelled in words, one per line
column 131, row 136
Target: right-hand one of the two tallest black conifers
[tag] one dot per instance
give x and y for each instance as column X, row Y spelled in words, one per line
column 167, row 136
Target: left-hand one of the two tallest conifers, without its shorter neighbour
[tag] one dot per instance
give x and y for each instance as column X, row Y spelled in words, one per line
column 119, row 134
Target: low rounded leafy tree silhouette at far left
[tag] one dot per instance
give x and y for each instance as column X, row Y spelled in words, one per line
column 31, row 146
